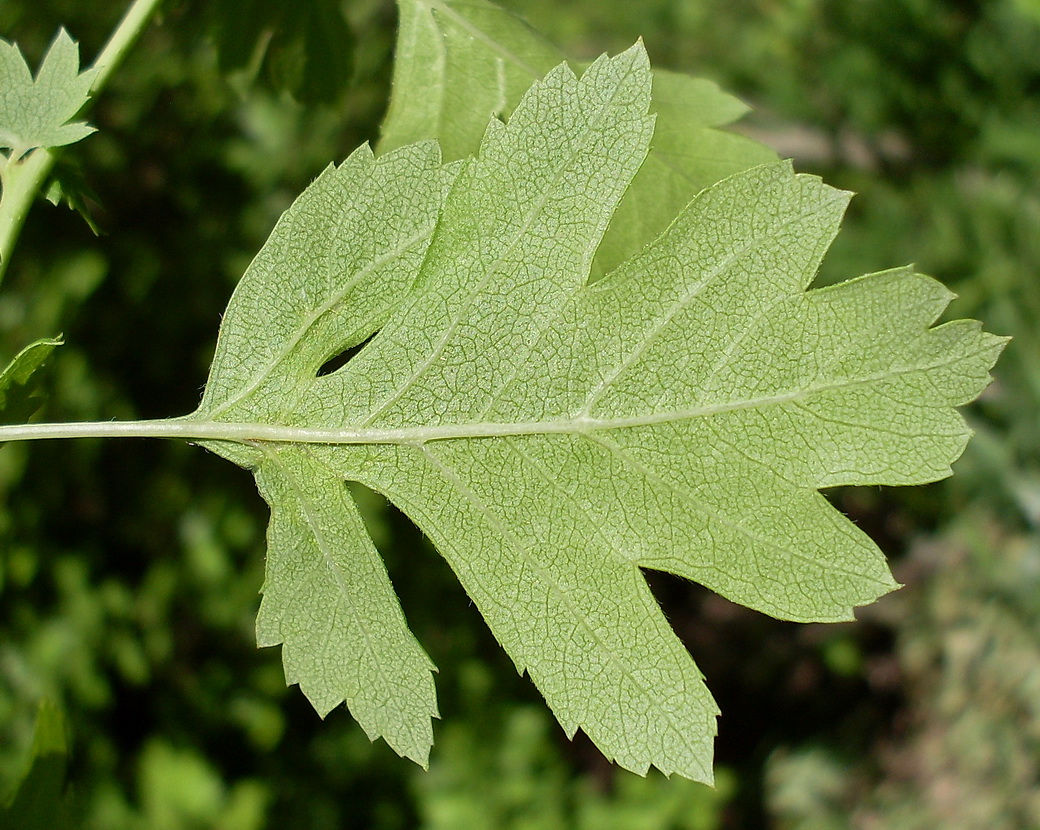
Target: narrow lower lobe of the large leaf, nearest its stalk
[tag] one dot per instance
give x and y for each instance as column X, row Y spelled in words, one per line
column 328, row 599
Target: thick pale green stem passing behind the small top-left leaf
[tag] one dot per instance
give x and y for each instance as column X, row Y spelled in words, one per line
column 24, row 177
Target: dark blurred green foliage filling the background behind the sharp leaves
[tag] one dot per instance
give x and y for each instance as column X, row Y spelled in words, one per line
column 129, row 572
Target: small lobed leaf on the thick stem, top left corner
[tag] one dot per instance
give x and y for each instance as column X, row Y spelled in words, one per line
column 38, row 113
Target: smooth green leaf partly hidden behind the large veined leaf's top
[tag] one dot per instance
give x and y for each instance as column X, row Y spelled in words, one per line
column 461, row 63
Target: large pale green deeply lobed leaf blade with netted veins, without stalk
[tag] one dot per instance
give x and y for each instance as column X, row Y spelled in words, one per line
column 554, row 436
